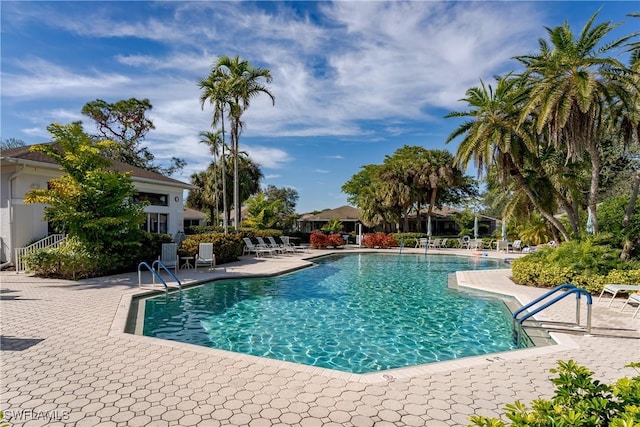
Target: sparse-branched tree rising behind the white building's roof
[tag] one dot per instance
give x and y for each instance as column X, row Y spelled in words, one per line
column 126, row 123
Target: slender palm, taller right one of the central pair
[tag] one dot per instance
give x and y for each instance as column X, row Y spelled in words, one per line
column 241, row 82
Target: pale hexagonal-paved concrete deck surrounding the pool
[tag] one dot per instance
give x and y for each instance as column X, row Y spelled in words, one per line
column 65, row 360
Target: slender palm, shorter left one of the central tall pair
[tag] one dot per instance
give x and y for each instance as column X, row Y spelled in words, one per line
column 215, row 90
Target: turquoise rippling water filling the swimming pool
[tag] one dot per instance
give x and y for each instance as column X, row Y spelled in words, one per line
column 357, row 313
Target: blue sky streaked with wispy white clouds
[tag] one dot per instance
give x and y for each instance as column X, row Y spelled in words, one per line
column 353, row 80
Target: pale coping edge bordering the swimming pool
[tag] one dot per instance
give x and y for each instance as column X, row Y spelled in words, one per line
column 121, row 319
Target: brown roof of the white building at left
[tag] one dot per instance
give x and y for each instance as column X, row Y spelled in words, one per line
column 25, row 155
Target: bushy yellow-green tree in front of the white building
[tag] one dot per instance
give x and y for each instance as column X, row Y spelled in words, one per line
column 90, row 202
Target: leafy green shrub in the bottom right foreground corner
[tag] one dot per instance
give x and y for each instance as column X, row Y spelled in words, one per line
column 579, row 400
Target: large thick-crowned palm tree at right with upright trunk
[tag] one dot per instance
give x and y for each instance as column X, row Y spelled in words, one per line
column 575, row 84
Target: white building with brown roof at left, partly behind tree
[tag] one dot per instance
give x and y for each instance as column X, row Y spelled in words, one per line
column 22, row 170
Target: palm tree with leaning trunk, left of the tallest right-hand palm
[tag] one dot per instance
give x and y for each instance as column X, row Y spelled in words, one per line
column 493, row 139
